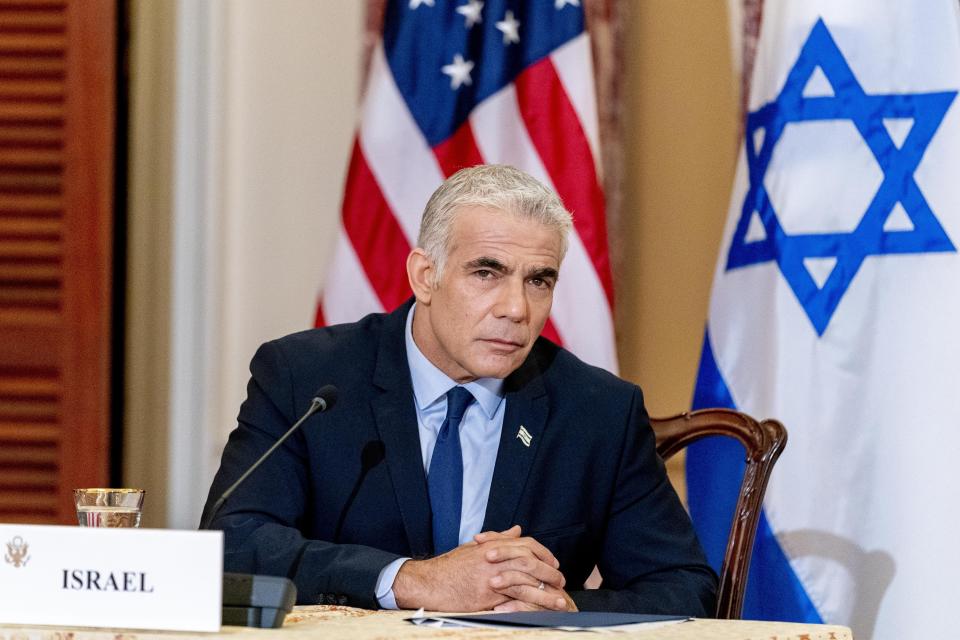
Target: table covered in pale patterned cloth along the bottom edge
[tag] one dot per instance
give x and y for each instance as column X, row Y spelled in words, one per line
column 312, row 623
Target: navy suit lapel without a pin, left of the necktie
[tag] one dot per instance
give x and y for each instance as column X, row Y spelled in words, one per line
column 396, row 419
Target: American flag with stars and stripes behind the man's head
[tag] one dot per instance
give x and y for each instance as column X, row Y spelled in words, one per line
column 466, row 82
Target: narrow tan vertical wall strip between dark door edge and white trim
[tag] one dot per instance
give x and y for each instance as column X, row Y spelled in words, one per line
column 149, row 203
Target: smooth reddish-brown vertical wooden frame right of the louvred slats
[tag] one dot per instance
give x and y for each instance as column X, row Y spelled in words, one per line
column 88, row 258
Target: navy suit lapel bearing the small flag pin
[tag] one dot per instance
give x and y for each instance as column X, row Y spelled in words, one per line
column 524, row 423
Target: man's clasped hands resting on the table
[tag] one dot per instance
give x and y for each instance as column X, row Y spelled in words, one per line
column 500, row 571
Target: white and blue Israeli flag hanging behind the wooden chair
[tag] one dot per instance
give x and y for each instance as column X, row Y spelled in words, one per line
column 836, row 309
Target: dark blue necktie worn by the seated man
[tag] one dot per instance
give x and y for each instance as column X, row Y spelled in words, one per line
column 445, row 477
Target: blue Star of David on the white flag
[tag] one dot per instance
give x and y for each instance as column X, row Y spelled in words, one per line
column 867, row 112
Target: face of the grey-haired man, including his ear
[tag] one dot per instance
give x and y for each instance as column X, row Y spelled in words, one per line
column 493, row 298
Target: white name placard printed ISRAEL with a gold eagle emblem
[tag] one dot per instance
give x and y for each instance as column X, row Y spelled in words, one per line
column 112, row 578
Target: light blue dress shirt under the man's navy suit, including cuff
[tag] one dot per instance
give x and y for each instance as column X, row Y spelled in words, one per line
column 479, row 441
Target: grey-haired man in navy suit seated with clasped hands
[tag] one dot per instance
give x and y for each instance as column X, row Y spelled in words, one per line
column 469, row 464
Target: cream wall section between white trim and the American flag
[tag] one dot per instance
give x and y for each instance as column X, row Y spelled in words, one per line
column 293, row 69
